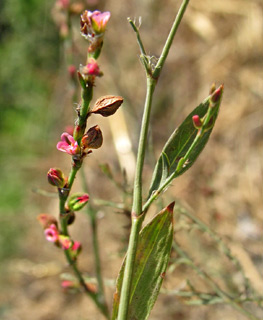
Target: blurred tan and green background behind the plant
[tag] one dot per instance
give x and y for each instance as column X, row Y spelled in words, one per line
column 218, row 41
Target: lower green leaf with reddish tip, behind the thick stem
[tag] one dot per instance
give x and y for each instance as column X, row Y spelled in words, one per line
column 152, row 256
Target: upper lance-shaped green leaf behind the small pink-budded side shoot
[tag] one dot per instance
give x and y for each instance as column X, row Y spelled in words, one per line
column 182, row 139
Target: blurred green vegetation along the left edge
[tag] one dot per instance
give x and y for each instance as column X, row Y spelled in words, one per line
column 29, row 55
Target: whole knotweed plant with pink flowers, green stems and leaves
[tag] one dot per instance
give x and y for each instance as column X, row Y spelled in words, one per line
column 149, row 249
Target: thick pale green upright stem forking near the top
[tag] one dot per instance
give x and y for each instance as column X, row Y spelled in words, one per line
column 137, row 216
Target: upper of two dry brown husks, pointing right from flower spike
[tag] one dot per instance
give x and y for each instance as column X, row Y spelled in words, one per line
column 107, row 105
